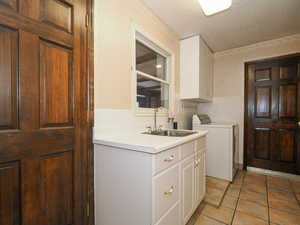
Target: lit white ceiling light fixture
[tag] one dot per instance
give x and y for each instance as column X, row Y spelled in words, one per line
column 211, row 7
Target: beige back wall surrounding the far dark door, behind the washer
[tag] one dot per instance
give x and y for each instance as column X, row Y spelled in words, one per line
column 228, row 104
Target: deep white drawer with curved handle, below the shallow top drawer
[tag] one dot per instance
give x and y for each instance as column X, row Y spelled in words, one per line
column 166, row 191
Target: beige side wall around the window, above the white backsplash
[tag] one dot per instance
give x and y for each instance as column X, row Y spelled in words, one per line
column 114, row 21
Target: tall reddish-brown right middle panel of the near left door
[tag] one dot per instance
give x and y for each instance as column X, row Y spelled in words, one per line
column 56, row 74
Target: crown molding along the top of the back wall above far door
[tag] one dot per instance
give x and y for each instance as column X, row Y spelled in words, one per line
column 270, row 43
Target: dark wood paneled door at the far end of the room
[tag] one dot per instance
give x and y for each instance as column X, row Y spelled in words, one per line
column 272, row 131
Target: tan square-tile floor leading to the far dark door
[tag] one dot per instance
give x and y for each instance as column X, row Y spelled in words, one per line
column 254, row 199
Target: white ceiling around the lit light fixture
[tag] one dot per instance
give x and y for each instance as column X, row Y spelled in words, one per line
column 246, row 22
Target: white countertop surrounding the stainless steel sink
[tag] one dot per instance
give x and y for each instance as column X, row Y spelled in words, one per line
column 144, row 142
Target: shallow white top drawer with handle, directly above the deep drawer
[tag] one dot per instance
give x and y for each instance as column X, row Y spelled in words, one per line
column 165, row 160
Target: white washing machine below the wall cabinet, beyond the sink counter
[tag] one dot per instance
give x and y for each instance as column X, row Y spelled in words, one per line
column 222, row 148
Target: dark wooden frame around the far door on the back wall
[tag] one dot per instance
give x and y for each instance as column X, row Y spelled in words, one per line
column 246, row 85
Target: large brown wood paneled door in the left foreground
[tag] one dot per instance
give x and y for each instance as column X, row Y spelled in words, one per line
column 44, row 124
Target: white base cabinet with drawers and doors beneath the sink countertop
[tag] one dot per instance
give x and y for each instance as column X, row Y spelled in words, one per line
column 136, row 188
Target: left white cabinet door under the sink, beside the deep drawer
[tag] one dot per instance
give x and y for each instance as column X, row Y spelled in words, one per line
column 188, row 188
